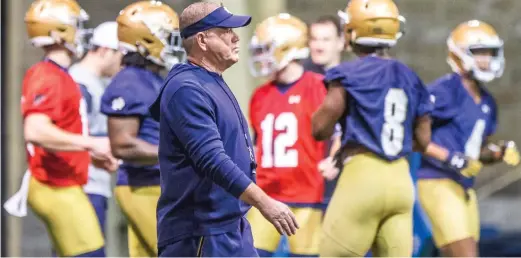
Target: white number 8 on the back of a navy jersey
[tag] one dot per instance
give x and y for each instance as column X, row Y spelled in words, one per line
column 395, row 113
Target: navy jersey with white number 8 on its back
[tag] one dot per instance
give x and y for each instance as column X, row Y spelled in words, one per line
column 384, row 99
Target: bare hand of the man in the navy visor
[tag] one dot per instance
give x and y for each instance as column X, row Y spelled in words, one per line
column 280, row 216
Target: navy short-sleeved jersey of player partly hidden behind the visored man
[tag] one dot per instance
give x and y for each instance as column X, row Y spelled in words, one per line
column 130, row 94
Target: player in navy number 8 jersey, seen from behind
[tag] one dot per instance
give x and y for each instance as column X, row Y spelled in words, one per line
column 382, row 106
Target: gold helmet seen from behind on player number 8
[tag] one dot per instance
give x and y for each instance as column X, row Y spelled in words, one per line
column 373, row 23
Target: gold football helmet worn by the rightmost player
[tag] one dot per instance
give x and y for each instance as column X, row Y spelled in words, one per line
column 465, row 43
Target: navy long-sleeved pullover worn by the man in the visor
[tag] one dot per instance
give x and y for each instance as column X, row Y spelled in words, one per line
column 205, row 153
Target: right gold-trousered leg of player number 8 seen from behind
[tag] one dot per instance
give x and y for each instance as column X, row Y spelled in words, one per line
column 395, row 234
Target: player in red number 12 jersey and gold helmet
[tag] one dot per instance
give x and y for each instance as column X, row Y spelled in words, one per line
column 280, row 115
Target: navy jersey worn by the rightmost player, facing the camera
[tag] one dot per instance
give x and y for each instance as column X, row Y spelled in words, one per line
column 458, row 123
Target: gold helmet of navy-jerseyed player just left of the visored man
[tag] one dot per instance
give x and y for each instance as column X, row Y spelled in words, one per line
column 152, row 29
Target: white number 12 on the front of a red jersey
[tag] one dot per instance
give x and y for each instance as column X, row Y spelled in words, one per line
column 276, row 152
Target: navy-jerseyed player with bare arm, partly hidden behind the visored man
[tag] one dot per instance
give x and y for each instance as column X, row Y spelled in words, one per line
column 148, row 33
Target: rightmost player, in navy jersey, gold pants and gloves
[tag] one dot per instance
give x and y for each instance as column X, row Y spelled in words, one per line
column 464, row 117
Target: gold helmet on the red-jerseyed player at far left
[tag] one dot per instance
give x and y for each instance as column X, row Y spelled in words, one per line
column 52, row 22
